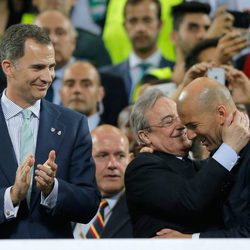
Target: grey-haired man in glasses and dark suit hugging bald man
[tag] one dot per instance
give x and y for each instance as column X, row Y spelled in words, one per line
column 165, row 189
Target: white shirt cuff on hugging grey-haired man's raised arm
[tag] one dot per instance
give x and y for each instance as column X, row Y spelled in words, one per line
column 226, row 156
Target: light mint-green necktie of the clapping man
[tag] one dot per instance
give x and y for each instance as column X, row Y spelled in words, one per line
column 27, row 145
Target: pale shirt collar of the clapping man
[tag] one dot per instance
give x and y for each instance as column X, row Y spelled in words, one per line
column 10, row 109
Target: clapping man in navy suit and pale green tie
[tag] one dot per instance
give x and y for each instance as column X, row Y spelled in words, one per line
column 55, row 181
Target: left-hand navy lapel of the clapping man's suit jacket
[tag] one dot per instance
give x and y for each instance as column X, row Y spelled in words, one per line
column 8, row 160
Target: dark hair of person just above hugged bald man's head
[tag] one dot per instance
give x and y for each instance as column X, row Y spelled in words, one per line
column 192, row 57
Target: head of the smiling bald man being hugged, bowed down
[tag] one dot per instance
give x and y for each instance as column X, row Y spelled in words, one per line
column 203, row 107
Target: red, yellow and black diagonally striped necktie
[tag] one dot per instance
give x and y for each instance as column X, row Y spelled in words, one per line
column 96, row 228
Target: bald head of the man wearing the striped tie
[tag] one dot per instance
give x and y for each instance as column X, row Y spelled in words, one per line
column 111, row 155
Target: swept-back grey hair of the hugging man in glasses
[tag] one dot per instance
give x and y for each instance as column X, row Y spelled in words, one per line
column 138, row 120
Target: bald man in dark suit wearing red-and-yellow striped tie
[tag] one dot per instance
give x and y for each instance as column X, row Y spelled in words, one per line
column 111, row 155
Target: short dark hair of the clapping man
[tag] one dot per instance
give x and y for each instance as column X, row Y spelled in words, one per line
column 14, row 38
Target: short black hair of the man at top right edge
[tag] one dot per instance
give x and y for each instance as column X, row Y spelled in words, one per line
column 179, row 11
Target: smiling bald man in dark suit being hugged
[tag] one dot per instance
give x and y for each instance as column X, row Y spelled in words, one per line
column 209, row 104
